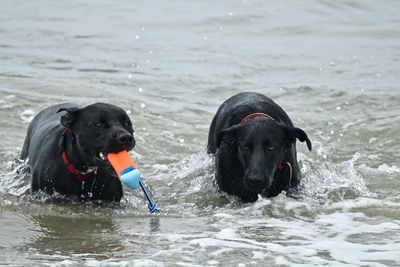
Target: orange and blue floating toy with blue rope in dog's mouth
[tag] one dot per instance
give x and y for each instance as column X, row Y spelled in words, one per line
column 129, row 174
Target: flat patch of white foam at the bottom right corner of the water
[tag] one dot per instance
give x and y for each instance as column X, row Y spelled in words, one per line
column 330, row 239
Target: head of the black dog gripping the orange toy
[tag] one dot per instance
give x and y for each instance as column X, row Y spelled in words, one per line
column 97, row 130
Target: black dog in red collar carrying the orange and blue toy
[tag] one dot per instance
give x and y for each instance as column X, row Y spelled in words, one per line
column 67, row 153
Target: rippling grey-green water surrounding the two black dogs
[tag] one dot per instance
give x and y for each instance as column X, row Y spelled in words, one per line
column 332, row 65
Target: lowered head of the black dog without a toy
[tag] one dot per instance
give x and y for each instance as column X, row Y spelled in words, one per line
column 259, row 145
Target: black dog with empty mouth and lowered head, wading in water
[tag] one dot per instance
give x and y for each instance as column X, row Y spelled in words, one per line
column 254, row 142
